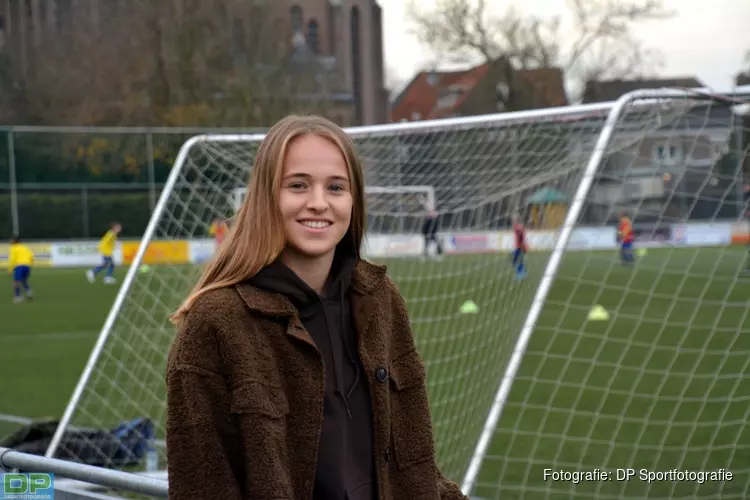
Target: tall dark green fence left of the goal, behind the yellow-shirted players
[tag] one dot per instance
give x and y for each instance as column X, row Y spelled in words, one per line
column 71, row 183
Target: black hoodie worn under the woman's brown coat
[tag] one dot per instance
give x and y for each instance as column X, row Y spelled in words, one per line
column 345, row 468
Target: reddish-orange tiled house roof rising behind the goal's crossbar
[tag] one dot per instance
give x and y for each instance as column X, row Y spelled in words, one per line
column 419, row 97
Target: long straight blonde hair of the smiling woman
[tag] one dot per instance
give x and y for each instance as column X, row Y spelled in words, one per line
column 257, row 236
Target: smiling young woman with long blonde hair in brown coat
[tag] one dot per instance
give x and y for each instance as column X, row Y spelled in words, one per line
column 294, row 374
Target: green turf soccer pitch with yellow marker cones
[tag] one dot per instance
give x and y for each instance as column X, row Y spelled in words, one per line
column 663, row 383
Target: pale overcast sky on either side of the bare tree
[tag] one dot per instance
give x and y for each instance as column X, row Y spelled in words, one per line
column 706, row 39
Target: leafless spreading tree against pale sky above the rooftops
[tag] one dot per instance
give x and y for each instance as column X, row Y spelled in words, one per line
column 594, row 41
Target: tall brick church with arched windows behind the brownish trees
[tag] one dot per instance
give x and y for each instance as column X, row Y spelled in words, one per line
column 347, row 35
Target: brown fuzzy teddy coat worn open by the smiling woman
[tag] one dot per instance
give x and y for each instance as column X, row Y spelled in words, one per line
column 245, row 397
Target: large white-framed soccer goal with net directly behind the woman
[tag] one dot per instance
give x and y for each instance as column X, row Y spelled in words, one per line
column 582, row 363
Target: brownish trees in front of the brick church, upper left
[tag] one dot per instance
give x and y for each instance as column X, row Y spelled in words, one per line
column 173, row 62
